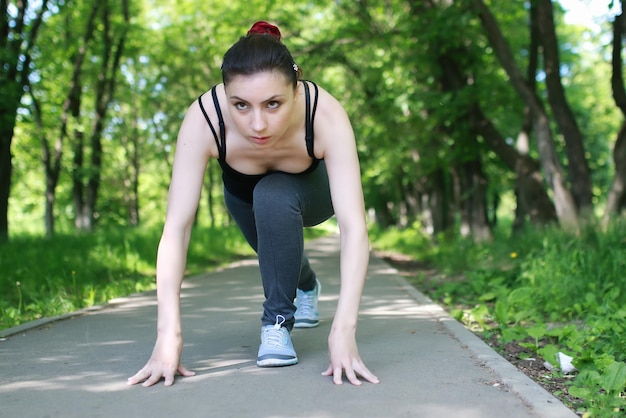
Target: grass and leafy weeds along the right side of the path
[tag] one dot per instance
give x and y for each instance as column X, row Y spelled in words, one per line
column 544, row 289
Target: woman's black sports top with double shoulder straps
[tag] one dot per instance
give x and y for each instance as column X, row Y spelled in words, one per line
column 240, row 184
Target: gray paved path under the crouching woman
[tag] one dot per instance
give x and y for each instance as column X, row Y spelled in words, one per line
column 429, row 364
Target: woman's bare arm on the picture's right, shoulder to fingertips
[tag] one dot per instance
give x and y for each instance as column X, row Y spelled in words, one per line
column 334, row 131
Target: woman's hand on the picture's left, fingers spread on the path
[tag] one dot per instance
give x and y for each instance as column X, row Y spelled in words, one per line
column 164, row 363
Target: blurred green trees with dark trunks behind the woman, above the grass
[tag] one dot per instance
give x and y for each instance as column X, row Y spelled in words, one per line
column 467, row 112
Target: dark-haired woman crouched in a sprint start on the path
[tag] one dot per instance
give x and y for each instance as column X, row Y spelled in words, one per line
column 289, row 160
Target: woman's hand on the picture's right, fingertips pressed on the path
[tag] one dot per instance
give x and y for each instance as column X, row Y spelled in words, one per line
column 344, row 356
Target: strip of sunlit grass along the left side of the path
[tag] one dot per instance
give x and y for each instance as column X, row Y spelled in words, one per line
column 48, row 277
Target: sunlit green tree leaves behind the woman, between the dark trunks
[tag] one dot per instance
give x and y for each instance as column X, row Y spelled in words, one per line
column 386, row 61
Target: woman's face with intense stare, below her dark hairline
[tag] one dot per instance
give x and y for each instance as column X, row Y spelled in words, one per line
column 261, row 106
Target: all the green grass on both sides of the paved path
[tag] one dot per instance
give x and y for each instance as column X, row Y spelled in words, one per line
column 544, row 289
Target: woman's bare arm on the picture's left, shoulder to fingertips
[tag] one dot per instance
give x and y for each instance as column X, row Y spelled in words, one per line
column 193, row 150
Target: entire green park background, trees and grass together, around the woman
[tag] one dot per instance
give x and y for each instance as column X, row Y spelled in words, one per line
column 491, row 136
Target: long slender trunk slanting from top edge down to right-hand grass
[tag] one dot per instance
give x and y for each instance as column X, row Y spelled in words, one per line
column 552, row 169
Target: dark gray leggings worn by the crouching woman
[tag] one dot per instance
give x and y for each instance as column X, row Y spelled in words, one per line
column 283, row 204
